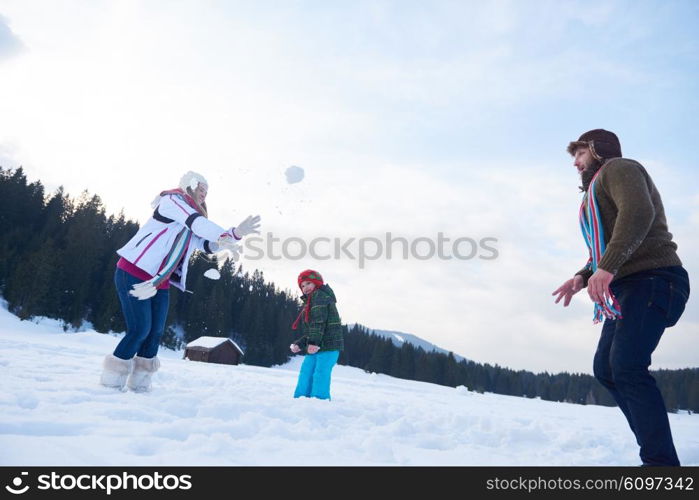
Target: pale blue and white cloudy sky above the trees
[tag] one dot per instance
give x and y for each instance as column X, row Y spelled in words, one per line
column 409, row 119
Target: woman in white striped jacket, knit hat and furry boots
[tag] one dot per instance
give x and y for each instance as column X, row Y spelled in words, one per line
column 155, row 258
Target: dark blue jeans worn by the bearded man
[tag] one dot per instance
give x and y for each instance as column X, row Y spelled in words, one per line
column 650, row 302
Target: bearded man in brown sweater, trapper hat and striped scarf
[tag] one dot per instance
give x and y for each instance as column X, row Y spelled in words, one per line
column 635, row 279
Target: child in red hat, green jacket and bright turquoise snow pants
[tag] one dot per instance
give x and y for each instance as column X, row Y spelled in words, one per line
column 322, row 336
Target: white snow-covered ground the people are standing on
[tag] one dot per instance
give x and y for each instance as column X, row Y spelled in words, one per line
column 53, row 412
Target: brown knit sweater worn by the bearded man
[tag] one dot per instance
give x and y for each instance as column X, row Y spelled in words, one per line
column 635, row 229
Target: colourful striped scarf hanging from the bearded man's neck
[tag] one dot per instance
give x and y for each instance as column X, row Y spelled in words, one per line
column 593, row 233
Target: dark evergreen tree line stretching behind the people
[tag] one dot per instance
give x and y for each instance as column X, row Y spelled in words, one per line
column 57, row 259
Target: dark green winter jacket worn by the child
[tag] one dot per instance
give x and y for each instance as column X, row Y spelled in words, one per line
column 324, row 328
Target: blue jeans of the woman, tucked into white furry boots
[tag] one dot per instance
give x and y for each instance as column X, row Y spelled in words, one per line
column 145, row 319
